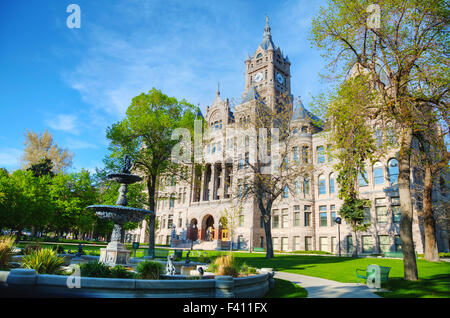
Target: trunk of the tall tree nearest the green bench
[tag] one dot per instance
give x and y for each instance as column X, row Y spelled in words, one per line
column 409, row 258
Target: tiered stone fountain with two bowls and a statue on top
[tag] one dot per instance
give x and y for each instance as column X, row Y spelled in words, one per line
column 115, row 252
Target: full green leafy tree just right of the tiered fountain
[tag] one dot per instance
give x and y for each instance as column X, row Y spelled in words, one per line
column 146, row 136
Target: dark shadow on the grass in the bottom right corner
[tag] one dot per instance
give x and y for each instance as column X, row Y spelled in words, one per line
column 437, row 286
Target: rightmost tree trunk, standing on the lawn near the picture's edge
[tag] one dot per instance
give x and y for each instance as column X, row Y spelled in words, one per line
column 431, row 250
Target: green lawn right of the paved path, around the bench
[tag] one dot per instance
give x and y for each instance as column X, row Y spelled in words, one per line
column 434, row 278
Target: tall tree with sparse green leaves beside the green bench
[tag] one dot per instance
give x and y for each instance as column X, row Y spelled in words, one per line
column 406, row 57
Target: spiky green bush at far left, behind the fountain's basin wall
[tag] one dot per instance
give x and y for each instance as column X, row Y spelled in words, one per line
column 44, row 261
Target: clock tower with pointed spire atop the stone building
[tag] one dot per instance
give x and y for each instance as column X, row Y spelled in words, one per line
column 267, row 71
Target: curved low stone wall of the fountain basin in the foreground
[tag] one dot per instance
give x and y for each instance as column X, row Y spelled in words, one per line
column 27, row 281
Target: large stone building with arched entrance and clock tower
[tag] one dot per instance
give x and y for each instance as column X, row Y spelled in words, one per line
column 304, row 220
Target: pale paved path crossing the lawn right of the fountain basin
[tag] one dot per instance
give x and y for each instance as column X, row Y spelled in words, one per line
column 324, row 288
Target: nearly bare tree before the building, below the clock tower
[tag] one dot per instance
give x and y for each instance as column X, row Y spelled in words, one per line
column 274, row 172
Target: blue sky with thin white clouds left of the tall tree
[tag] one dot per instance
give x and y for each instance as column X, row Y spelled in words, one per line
column 77, row 82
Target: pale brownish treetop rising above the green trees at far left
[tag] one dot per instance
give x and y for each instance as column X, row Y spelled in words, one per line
column 41, row 147
